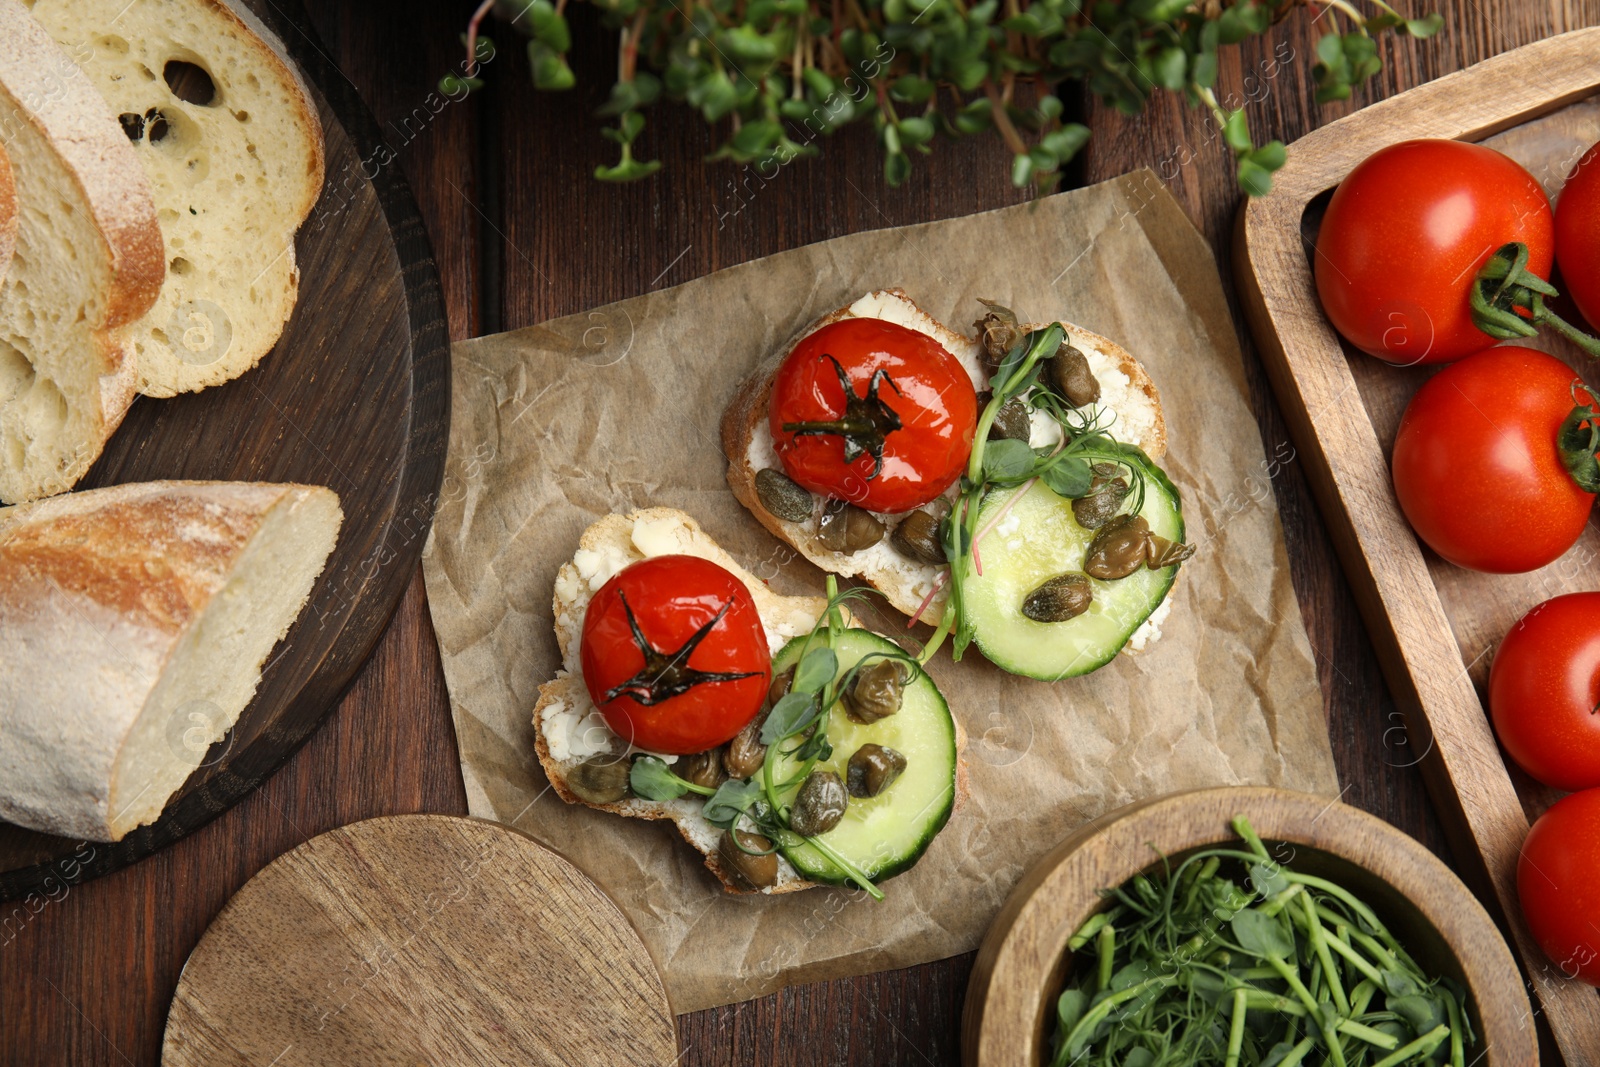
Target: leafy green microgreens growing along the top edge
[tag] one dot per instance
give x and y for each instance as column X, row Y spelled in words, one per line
column 778, row 74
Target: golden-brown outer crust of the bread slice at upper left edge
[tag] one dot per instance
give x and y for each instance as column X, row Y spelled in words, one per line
column 62, row 103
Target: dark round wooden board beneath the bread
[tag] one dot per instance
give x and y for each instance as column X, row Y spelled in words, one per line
column 356, row 396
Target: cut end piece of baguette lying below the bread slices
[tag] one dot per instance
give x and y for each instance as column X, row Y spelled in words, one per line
column 134, row 628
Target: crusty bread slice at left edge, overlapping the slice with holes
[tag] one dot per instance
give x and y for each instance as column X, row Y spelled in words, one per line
column 89, row 262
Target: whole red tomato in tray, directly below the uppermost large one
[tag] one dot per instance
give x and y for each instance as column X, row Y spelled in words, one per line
column 1476, row 465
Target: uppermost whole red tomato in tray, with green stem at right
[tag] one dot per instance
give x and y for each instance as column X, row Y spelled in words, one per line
column 1406, row 234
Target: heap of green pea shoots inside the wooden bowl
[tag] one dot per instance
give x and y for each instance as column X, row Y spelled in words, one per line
column 1202, row 969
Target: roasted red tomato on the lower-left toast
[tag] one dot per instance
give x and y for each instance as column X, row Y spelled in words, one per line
column 706, row 669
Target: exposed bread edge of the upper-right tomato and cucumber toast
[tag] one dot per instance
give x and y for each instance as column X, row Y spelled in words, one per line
column 746, row 417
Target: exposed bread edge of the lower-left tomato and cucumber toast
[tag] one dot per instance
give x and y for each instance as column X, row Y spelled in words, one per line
column 569, row 690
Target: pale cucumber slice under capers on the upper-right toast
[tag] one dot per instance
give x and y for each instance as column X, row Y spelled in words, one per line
column 1039, row 540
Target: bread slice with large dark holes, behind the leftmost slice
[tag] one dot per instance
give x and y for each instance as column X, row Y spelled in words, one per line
column 231, row 142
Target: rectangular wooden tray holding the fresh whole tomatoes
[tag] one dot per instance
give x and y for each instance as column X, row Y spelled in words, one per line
column 1434, row 625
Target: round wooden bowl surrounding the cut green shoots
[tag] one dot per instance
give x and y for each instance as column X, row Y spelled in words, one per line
column 1023, row 964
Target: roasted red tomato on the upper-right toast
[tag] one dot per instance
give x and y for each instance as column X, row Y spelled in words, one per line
column 910, row 398
